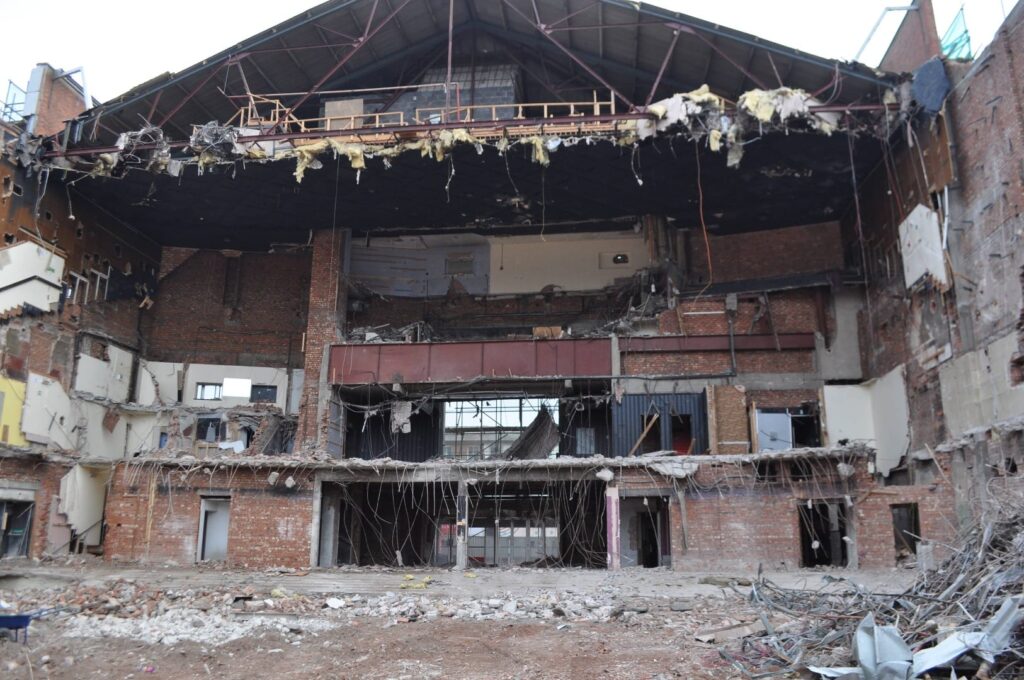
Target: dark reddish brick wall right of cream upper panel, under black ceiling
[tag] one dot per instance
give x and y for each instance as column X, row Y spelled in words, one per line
column 807, row 249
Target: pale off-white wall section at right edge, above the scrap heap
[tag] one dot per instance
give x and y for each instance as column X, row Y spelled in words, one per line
column 976, row 388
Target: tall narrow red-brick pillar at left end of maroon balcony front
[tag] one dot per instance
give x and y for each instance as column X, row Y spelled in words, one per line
column 325, row 326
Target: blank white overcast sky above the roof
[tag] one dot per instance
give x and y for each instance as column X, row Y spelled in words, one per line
column 122, row 44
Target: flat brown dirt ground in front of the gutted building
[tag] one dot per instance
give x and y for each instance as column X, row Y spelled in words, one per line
column 649, row 634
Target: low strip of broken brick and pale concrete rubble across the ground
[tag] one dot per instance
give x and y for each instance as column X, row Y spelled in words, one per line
column 126, row 609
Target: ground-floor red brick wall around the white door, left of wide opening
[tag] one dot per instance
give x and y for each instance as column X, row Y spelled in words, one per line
column 269, row 526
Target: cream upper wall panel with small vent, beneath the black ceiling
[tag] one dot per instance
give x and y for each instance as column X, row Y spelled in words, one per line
column 574, row 263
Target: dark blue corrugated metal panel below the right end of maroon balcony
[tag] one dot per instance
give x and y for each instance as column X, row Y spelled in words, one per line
column 628, row 418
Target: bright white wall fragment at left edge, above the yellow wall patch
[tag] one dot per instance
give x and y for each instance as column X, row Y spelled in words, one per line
column 23, row 262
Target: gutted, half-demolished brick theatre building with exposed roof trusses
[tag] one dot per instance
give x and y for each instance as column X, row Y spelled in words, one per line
column 502, row 283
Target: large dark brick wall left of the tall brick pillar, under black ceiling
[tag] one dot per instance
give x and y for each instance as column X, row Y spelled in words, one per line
column 247, row 311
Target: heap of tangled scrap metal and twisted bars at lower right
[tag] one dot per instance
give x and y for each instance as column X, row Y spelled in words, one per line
column 965, row 617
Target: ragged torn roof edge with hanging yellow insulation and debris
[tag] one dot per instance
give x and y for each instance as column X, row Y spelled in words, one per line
column 698, row 116
